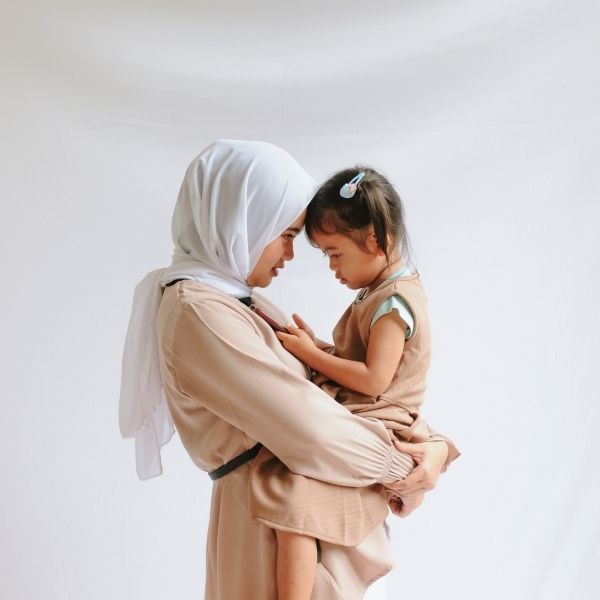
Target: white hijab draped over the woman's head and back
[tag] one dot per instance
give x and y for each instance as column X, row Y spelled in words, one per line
column 236, row 197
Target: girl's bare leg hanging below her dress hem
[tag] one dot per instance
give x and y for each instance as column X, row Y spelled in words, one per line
column 296, row 565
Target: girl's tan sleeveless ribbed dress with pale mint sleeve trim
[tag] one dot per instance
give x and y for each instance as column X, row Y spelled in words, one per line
column 293, row 502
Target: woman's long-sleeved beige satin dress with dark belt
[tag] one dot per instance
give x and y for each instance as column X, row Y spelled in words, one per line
column 229, row 383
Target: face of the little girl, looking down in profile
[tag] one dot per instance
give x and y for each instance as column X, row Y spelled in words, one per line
column 353, row 266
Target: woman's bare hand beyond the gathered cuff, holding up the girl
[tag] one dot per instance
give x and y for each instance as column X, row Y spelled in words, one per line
column 430, row 458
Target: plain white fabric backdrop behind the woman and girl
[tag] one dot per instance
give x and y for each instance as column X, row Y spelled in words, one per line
column 484, row 114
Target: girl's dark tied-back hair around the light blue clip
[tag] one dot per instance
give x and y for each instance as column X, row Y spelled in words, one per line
column 375, row 204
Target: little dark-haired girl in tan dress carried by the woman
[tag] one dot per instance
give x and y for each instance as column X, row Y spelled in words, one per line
column 377, row 367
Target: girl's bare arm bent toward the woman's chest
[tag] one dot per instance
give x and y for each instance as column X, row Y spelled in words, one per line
column 373, row 377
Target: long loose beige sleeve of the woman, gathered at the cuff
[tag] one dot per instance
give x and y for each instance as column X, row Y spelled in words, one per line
column 220, row 362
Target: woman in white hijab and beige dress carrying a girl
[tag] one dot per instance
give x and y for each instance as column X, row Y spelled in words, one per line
column 231, row 386
